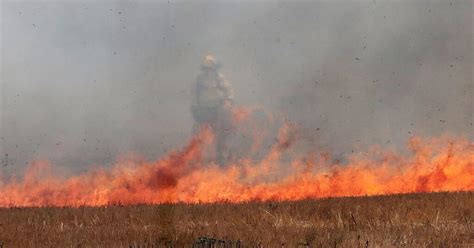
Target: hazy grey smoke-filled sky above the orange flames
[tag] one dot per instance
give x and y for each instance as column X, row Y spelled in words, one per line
column 84, row 82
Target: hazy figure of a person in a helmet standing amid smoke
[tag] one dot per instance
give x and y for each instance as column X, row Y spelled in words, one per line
column 212, row 105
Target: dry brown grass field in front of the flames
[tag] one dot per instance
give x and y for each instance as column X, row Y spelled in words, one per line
column 414, row 220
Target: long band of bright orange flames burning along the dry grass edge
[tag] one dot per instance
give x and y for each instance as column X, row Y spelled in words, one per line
column 436, row 164
